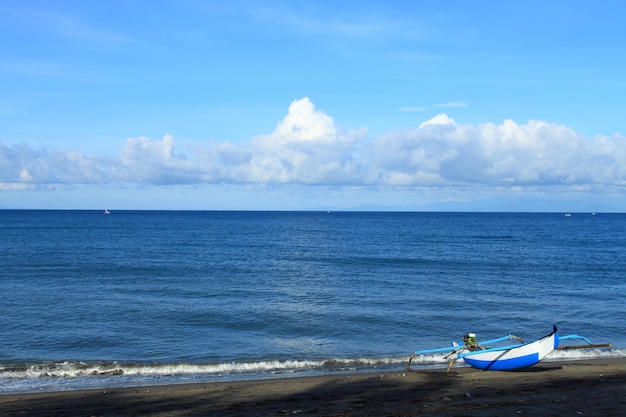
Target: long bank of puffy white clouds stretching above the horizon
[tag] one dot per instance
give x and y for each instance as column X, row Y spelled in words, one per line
column 306, row 147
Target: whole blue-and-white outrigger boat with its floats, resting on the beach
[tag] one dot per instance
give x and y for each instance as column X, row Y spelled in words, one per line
column 504, row 358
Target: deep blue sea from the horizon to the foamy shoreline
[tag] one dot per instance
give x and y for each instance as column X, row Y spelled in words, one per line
column 153, row 297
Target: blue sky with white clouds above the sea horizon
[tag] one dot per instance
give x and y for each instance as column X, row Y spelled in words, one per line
column 313, row 105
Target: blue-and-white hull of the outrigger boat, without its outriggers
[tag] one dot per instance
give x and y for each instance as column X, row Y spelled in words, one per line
column 512, row 357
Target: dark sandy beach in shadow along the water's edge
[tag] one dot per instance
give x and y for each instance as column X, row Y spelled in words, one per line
column 590, row 387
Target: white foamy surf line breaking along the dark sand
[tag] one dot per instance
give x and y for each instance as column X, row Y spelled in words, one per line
column 82, row 374
